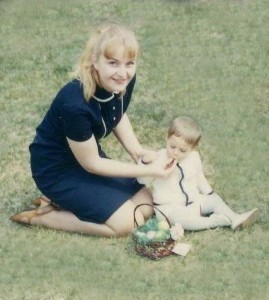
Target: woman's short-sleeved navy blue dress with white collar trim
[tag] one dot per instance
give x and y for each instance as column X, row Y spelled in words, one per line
column 55, row 170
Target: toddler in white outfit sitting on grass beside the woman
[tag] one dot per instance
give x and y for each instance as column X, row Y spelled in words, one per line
column 186, row 197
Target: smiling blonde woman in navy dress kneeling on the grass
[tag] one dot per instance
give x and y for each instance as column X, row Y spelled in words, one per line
column 96, row 195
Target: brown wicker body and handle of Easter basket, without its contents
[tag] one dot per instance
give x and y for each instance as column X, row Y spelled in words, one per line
column 153, row 250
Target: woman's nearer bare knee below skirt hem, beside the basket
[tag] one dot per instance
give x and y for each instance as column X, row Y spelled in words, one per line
column 122, row 221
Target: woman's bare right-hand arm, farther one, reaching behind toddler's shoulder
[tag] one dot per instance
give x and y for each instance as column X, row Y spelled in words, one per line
column 126, row 136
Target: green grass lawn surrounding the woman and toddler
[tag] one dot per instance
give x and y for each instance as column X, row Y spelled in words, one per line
column 207, row 59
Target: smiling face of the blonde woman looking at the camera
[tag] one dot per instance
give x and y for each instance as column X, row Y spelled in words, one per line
column 116, row 72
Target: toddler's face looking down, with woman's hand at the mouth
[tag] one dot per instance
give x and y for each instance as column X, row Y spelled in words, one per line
column 177, row 148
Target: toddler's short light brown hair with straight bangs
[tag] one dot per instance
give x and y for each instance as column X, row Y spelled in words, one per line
column 186, row 128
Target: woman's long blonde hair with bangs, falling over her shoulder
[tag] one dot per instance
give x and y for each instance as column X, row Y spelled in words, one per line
column 105, row 41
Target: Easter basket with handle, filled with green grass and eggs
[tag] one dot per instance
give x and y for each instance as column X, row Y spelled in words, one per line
column 154, row 246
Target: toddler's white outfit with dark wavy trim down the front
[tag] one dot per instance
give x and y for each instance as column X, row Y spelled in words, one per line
column 186, row 197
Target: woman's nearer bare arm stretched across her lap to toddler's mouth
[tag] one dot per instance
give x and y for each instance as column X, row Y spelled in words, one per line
column 87, row 155
